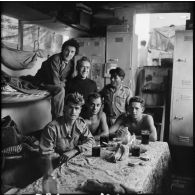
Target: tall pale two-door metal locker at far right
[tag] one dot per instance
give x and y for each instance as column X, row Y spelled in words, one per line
column 181, row 118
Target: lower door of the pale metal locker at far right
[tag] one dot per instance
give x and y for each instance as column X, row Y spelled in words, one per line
column 182, row 117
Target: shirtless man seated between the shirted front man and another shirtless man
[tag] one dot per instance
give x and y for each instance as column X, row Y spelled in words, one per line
column 95, row 117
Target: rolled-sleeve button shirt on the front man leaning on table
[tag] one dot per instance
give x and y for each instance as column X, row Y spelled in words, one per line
column 55, row 138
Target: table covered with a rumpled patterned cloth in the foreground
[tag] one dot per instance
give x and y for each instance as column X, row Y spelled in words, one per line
column 147, row 178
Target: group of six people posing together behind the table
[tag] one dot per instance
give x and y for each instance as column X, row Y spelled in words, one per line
column 80, row 114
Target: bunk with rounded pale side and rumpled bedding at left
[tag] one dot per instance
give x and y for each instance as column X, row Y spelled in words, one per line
column 29, row 107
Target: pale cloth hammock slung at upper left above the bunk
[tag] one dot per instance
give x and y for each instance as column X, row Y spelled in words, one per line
column 19, row 60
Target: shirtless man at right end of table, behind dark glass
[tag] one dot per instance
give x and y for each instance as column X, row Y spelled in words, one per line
column 135, row 120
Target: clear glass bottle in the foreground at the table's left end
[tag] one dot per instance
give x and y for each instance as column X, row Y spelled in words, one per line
column 49, row 183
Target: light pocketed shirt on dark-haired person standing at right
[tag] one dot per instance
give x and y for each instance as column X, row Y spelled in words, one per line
column 115, row 101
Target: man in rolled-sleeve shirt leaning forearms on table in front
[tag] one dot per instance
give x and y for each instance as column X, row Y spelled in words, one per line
column 67, row 135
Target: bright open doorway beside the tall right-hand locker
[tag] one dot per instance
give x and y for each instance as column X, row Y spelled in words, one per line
column 157, row 30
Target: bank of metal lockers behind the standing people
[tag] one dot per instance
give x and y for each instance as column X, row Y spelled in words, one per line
column 115, row 48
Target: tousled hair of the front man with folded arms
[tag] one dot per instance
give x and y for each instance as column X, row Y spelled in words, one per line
column 75, row 98
